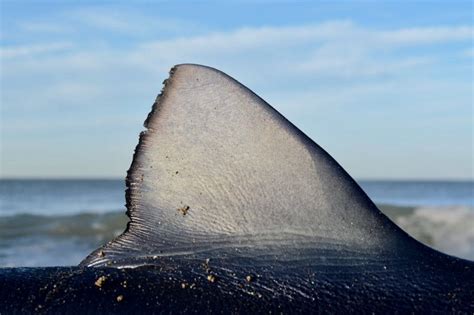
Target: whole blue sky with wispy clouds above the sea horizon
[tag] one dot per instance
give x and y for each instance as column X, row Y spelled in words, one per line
column 386, row 87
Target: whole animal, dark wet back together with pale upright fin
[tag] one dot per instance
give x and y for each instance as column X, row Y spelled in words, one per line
column 233, row 209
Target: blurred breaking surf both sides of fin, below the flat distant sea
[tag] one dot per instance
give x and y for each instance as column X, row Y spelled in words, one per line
column 42, row 240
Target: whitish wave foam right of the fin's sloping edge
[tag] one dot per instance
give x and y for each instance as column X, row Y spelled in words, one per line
column 447, row 229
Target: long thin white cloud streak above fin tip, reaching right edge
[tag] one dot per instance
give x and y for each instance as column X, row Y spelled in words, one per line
column 346, row 32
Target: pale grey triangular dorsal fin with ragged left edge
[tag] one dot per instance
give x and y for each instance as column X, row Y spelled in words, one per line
column 217, row 167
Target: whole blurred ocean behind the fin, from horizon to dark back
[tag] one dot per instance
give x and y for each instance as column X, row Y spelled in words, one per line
column 59, row 222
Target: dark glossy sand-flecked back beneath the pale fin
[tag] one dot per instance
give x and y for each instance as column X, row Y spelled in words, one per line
column 436, row 284
